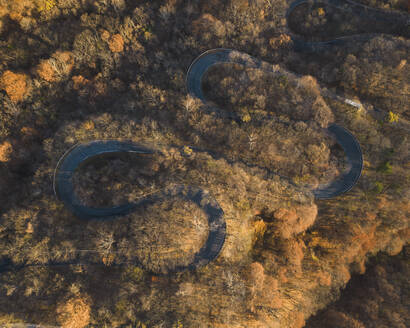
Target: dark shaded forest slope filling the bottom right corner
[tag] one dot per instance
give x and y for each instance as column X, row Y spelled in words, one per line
column 379, row 298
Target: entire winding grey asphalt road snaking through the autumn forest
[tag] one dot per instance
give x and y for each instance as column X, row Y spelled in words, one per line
column 80, row 153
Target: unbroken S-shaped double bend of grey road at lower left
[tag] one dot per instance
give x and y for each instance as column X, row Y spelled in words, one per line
column 80, row 153
